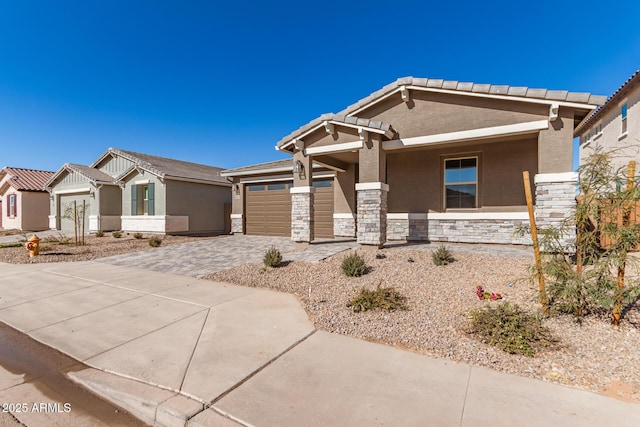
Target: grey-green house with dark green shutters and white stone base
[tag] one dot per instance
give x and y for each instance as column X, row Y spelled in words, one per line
column 138, row 192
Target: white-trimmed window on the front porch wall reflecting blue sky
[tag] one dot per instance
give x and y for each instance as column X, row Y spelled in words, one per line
column 461, row 183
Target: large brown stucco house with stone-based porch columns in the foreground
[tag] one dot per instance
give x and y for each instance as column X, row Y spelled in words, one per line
column 425, row 159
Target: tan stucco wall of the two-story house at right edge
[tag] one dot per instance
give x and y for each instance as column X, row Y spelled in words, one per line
column 623, row 148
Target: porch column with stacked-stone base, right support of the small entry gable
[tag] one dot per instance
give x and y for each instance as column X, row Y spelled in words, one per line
column 372, row 192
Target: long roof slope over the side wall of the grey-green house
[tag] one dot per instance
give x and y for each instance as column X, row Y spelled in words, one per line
column 170, row 168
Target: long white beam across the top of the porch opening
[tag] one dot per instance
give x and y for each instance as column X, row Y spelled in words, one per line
column 467, row 135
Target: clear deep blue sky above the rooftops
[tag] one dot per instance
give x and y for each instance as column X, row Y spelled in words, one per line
column 221, row 82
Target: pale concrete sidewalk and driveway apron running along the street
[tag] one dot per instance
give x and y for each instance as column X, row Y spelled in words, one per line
column 176, row 350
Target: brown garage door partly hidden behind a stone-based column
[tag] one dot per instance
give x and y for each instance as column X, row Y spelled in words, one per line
column 268, row 209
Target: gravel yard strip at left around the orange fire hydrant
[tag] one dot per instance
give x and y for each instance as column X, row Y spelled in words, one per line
column 60, row 249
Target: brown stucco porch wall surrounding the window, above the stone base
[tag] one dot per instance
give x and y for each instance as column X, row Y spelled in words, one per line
column 416, row 178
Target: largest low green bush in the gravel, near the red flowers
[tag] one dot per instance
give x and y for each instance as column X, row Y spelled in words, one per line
column 509, row 327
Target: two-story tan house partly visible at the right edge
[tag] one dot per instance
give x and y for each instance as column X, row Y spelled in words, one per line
column 615, row 126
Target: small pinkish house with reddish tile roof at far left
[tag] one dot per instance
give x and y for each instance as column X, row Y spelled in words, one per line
column 24, row 203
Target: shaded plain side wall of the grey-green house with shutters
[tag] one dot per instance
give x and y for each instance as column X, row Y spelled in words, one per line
column 204, row 204
